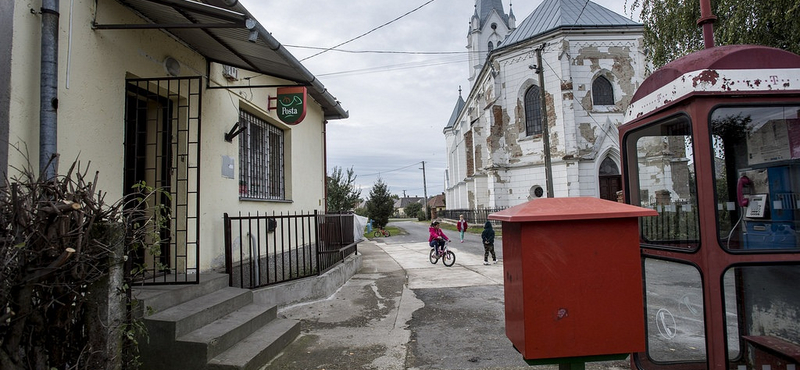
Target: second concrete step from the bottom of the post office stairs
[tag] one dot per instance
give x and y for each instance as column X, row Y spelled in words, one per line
column 228, row 330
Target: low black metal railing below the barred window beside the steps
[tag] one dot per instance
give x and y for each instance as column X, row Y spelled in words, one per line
column 262, row 249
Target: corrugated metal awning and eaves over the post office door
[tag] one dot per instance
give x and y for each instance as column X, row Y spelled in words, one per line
column 228, row 35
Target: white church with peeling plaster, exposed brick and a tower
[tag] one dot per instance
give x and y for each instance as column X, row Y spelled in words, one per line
column 545, row 101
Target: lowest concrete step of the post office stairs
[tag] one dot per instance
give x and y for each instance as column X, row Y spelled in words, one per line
column 258, row 348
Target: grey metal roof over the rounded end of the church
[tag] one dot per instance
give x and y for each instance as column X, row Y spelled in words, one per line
column 554, row 14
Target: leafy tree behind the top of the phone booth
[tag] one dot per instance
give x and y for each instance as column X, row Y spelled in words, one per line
column 671, row 30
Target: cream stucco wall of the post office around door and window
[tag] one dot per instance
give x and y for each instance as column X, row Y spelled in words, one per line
column 93, row 67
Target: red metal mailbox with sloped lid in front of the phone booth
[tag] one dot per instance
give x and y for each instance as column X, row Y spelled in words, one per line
column 573, row 279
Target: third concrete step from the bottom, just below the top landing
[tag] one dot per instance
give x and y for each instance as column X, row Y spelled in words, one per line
column 196, row 313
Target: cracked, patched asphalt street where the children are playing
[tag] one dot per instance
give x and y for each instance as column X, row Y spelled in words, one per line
column 402, row 312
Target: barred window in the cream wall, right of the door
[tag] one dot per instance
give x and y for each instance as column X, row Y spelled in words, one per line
column 261, row 154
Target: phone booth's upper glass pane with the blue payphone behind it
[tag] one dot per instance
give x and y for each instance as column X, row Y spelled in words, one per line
column 756, row 150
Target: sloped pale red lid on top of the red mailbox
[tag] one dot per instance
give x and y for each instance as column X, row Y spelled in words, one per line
column 575, row 208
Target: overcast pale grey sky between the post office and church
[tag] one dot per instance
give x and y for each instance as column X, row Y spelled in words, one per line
column 399, row 83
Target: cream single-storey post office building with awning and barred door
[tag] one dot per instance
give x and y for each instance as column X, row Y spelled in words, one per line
column 145, row 91
